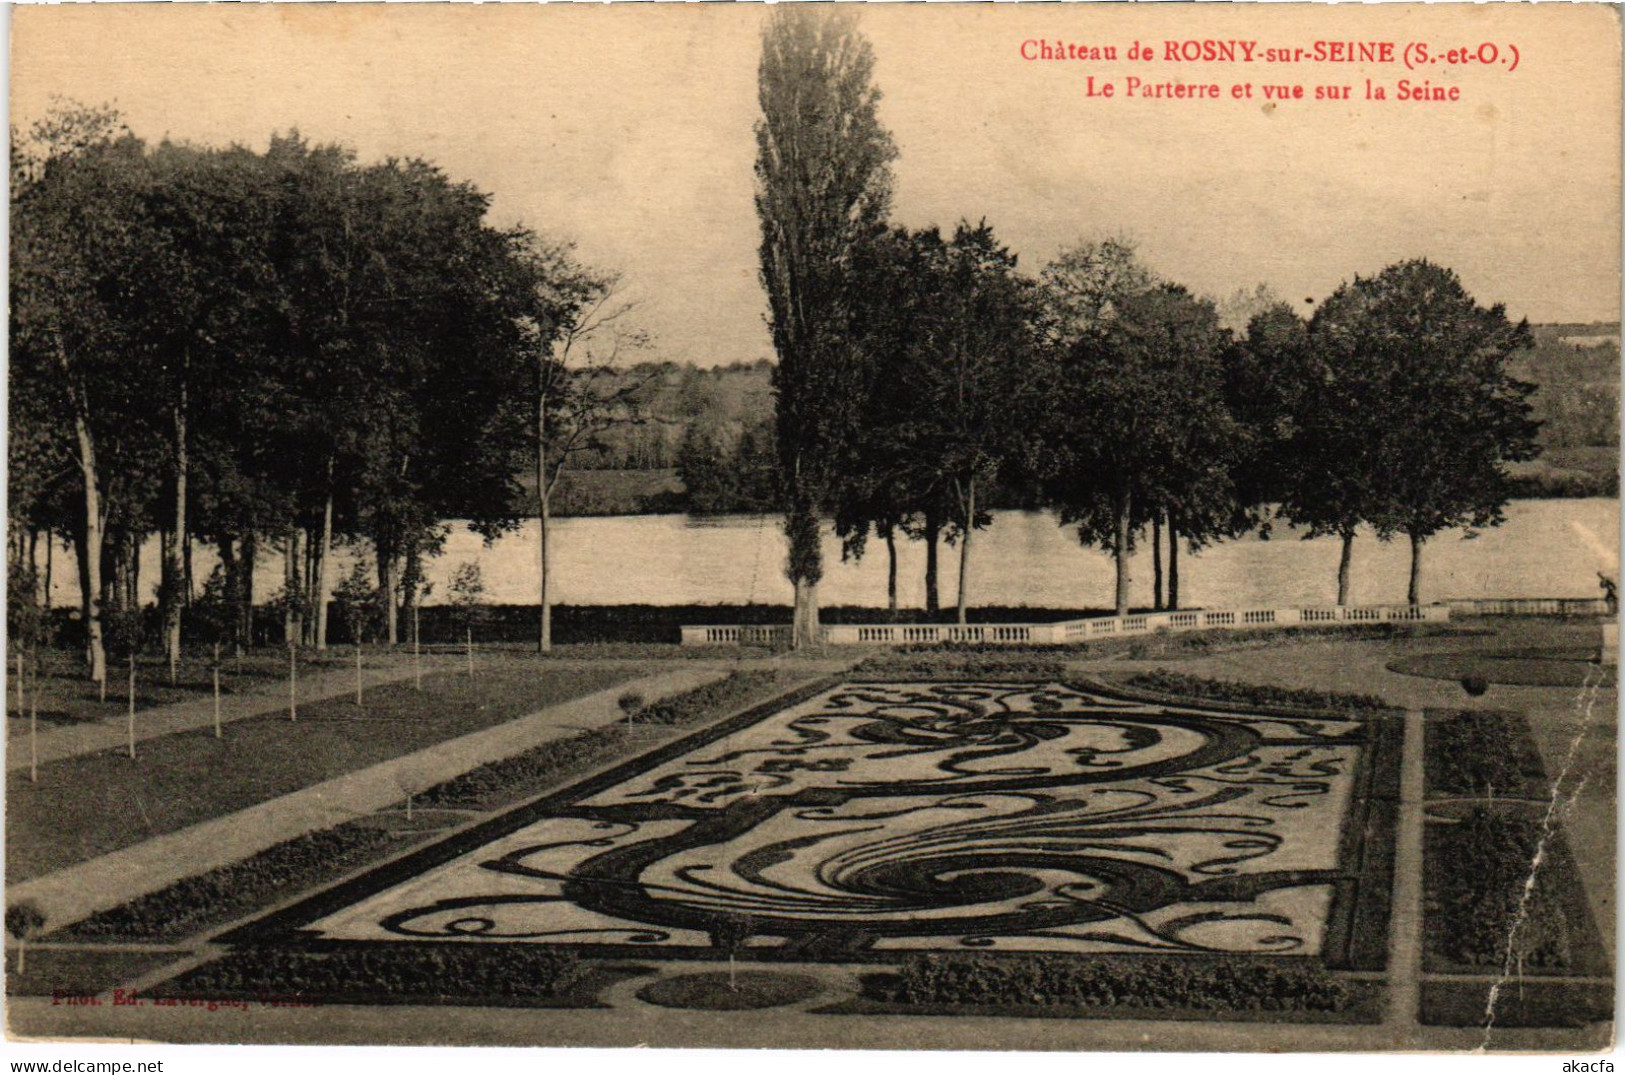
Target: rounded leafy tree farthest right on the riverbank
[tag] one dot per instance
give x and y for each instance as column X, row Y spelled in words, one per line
column 1429, row 369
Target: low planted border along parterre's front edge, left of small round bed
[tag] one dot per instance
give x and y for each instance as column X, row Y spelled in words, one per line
column 383, row 974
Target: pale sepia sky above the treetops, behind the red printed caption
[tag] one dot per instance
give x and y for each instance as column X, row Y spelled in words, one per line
column 628, row 131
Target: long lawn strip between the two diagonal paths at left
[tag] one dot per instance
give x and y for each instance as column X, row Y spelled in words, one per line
column 100, row 803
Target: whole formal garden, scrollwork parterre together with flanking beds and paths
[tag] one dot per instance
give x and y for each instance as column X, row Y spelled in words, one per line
column 932, row 834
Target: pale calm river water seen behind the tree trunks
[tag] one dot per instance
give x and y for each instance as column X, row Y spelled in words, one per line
column 1546, row 550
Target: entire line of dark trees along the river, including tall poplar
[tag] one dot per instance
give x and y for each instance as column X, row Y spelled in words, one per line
column 279, row 353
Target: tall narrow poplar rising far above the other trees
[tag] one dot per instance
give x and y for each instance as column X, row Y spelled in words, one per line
column 821, row 196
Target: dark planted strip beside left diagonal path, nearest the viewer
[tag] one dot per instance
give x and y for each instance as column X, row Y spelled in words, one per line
column 222, row 896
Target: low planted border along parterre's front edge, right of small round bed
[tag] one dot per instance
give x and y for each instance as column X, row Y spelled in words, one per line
column 1135, row 983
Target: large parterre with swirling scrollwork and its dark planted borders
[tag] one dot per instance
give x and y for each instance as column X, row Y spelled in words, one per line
column 987, row 842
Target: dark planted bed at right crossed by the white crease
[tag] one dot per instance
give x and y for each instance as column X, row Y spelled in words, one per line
column 1481, row 886
